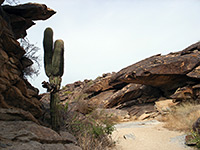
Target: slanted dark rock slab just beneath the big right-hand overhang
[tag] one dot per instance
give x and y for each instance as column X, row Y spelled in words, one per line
column 133, row 94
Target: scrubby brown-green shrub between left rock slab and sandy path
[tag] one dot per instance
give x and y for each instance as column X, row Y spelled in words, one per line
column 91, row 134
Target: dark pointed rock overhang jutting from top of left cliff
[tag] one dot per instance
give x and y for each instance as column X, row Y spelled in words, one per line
column 21, row 16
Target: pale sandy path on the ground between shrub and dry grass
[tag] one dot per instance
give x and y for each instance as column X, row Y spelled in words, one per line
column 148, row 135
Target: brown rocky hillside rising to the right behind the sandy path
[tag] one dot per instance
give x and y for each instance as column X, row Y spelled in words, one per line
column 160, row 81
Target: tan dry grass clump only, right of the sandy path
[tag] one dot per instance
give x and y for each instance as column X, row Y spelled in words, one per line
column 182, row 117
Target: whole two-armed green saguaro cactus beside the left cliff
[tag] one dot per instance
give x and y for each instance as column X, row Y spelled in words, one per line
column 54, row 69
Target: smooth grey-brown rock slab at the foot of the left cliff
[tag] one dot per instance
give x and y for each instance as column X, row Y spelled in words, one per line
column 25, row 135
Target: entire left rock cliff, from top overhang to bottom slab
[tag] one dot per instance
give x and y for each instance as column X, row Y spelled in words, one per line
column 20, row 108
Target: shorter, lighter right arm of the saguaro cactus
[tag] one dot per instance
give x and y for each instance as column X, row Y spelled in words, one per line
column 58, row 58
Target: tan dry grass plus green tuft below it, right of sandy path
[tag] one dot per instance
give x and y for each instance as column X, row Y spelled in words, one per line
column 182, row 118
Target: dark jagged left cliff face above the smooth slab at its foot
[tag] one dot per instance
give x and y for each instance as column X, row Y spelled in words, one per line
column 15, row 91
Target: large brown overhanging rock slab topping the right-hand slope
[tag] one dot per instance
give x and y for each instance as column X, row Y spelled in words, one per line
column 167, row 72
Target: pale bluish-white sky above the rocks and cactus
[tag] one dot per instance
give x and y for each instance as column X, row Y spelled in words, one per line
column 103, row 36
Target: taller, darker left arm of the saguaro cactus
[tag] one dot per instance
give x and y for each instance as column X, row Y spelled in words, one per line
column 48, row 50
